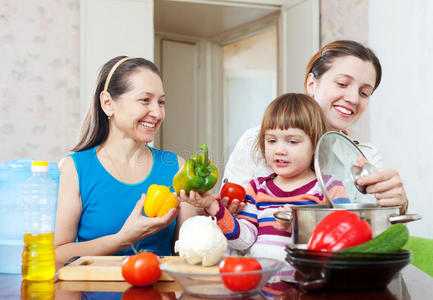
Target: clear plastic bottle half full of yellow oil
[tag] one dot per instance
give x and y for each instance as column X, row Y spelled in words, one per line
column 39, row 195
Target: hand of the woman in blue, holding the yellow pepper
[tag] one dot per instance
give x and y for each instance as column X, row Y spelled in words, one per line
column 137, row 226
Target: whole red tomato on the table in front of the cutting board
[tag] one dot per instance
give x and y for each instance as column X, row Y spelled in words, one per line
column 141, row 269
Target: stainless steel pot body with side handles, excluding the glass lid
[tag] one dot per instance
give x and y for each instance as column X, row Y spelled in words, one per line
column 305, row 218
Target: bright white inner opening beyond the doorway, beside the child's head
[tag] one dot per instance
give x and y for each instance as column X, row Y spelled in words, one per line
column 250, row 83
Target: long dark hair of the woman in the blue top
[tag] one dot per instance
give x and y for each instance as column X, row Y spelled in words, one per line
column 95, row 128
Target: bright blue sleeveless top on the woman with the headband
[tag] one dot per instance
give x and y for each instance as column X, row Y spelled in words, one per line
column 107, row 202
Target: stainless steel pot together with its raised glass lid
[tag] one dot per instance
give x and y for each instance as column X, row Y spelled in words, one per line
column 336, row 158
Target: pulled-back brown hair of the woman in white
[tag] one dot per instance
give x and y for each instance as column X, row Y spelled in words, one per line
column 322, row 61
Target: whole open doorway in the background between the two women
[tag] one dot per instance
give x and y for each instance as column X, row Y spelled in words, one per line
column 194, row 47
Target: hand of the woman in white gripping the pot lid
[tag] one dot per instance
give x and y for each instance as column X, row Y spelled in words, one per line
column 387, row 187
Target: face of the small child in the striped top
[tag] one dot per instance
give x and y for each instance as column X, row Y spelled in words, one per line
column 288, row 152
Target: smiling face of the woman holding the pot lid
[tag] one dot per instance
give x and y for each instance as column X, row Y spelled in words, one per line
column 343, row 92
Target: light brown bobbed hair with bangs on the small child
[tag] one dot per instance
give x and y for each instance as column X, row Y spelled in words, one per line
column 293, row 111
